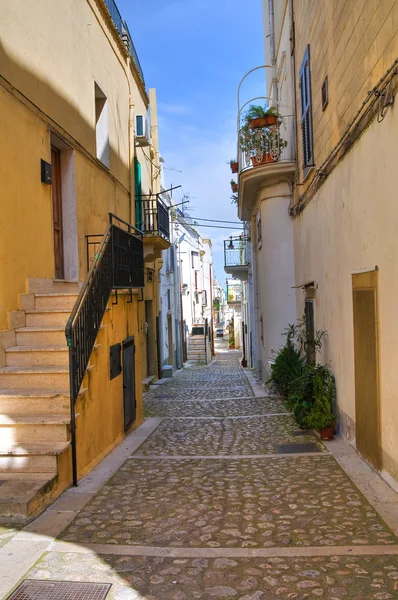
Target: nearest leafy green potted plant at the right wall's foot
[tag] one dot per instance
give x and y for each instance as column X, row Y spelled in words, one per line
column 320, row 416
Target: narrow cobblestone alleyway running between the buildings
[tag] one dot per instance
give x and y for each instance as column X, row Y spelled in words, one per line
column 221, row 497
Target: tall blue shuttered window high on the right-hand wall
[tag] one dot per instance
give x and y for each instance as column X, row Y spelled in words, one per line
column 306, row 110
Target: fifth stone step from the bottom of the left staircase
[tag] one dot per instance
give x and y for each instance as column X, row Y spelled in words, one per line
column 46, row 378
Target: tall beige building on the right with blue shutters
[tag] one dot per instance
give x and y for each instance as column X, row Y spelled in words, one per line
column 323, row 207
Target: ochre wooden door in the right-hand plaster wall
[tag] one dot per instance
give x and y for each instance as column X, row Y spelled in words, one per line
column 367, row 410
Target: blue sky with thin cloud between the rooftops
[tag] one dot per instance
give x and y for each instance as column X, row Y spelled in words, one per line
column 194, row 52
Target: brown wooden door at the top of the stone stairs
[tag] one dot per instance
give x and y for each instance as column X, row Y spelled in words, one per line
column 57, row 213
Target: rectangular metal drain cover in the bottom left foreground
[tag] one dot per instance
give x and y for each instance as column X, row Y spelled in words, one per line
column 31, row 589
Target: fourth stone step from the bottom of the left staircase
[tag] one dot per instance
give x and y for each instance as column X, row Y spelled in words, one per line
column 32, row 401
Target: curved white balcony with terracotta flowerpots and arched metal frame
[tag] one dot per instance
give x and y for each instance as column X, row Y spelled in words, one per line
column 266, row 145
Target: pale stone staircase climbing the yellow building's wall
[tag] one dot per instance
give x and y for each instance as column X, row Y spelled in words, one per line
column 34, row 407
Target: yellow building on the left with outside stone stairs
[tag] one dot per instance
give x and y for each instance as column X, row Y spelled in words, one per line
column 75, row 146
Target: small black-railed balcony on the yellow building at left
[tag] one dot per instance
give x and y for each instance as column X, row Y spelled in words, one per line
column 152, row 218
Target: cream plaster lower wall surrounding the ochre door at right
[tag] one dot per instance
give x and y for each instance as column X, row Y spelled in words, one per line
column 351, row 224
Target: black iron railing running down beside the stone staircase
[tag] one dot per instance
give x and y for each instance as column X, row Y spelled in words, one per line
column 118, row 263
